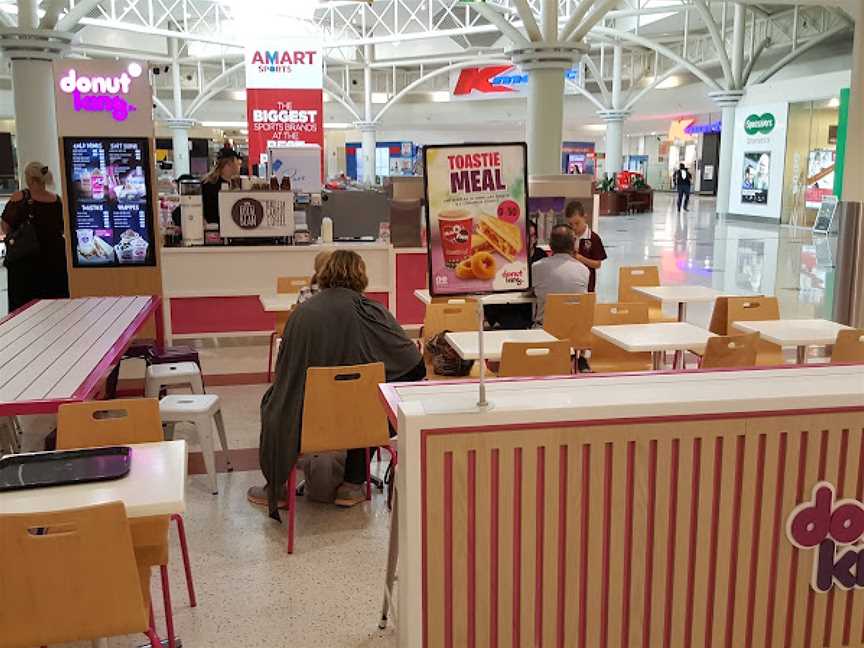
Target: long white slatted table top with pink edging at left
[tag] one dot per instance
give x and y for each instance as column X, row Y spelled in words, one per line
column 49, row 350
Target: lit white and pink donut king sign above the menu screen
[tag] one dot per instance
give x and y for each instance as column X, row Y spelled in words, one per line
column 101, row 93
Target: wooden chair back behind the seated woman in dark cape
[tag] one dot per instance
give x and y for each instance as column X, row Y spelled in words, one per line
column 342, row 408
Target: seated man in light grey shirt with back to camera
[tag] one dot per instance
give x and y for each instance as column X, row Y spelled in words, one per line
column 559, row 273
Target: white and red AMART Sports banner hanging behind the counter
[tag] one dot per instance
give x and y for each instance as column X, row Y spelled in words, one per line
column 284, row 102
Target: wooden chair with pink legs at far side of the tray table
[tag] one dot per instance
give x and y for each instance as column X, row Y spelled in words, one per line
column 128, row 422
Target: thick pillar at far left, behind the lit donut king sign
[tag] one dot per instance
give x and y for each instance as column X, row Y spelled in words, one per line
column 31, row 52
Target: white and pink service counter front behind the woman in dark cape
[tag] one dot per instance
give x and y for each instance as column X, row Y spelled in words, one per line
column 213, row 291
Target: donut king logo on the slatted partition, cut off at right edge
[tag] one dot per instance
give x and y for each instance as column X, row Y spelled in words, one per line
column 834, row 529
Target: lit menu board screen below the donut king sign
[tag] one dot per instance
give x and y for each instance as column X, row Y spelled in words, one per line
column 109, row 203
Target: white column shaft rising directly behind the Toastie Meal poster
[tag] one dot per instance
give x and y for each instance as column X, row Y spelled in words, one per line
column 545, row 120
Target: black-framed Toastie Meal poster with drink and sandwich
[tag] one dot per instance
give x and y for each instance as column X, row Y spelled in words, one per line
column 476, row 211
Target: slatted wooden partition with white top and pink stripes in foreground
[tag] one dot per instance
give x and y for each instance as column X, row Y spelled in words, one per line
column 637, row 510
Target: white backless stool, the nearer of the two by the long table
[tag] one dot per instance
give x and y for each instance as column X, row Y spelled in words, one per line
column 203, row 411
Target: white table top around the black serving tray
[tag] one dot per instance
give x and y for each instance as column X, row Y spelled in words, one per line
column 155, row 485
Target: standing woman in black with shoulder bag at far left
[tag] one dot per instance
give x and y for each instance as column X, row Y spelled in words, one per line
column 41, row 273
